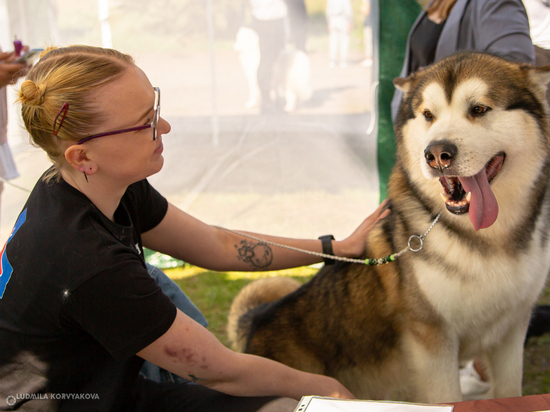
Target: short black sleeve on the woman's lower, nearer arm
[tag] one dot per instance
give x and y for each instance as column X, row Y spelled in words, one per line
column 122, row 308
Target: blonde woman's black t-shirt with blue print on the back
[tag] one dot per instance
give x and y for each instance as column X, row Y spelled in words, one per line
column 77, row 301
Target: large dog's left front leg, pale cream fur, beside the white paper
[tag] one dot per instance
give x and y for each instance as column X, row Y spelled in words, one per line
column 433, row 363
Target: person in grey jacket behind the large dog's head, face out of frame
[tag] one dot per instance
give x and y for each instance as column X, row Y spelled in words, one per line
column 449, row 26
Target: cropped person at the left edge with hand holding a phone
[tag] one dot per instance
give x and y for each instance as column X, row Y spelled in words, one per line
column 9, row 73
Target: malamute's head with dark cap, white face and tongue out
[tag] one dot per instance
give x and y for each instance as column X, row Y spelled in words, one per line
column 474, row 127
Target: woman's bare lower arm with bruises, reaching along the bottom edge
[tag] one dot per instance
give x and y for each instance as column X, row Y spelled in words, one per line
column 189, row 350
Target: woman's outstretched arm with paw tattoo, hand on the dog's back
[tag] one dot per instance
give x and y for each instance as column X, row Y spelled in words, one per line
column 186, row 238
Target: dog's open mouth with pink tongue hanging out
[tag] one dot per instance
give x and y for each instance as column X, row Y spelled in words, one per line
column 473, row 194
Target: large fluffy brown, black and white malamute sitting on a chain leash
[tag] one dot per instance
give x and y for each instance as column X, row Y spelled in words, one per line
column 473, row 144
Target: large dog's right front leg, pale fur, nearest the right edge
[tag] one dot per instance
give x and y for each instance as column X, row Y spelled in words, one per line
column 506, row 361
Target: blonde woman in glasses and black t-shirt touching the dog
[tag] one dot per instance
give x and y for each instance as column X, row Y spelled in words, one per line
column 77, row 302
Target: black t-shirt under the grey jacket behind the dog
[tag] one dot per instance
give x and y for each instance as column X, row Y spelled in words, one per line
column 424, row 43
